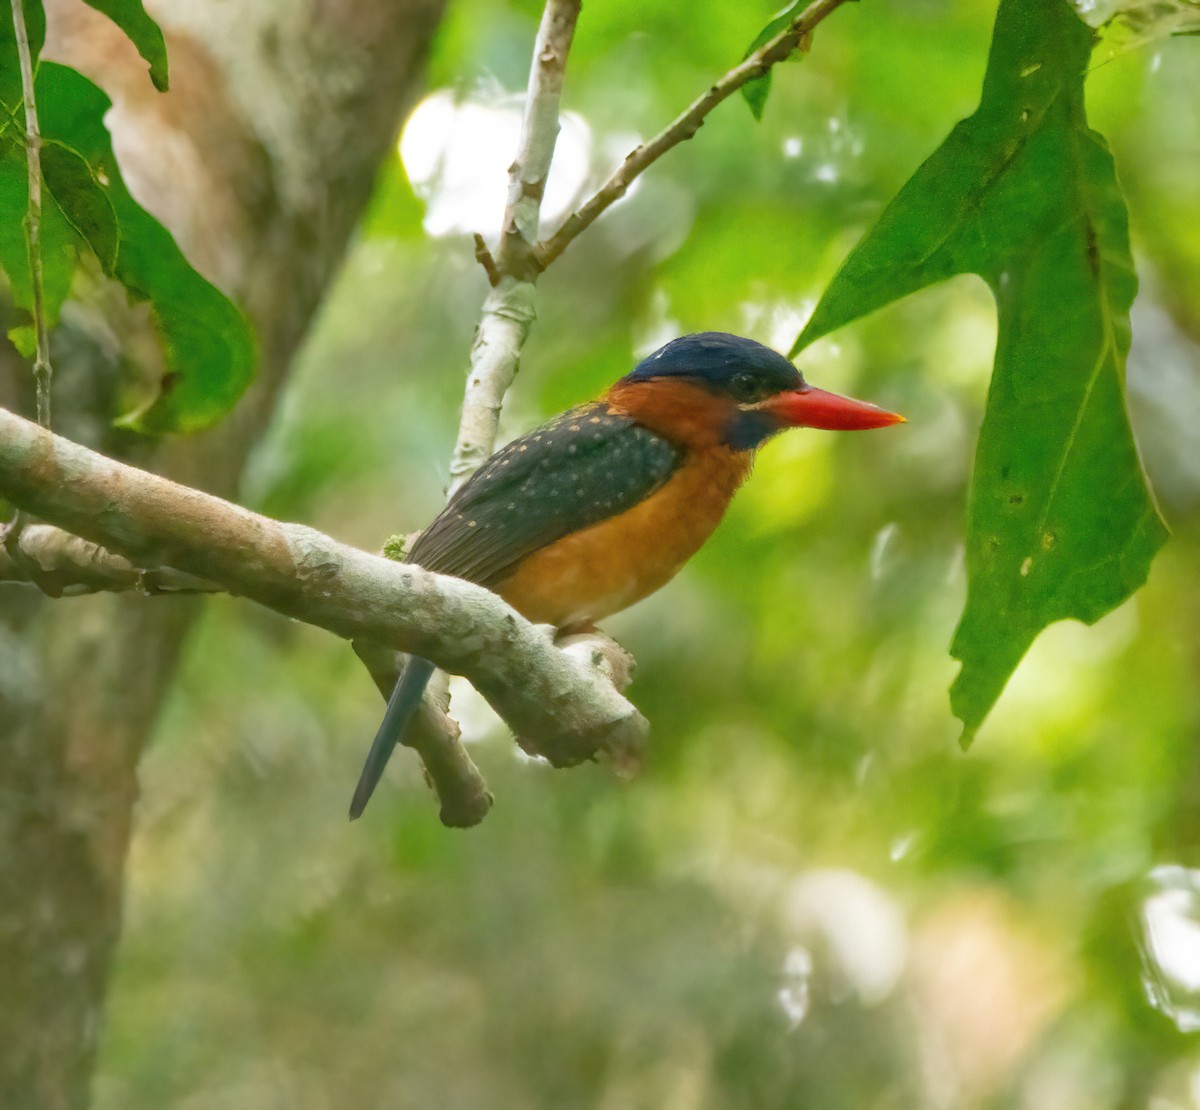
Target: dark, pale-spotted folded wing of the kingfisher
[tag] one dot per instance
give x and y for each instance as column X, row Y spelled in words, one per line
column 584, row 467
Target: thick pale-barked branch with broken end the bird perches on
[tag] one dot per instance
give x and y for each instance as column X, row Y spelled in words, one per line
column 559, row 704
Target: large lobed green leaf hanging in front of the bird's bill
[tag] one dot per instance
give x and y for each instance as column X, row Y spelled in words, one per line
column 1061, row 520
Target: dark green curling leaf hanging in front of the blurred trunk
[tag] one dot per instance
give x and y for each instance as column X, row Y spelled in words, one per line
column 208, row 345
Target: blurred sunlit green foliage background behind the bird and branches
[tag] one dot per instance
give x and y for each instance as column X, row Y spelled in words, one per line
column 811, row 897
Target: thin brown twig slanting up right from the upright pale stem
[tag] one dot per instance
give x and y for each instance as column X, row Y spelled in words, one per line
column 795, row 37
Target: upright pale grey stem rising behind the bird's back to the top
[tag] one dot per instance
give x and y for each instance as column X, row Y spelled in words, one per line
column 509, row 308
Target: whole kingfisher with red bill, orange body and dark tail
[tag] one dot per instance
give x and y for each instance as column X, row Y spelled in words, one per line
column 604, row 505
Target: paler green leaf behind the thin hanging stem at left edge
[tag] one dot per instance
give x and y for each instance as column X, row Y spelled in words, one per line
column 57, row 245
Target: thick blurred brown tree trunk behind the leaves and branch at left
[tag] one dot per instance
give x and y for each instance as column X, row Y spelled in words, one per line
column 261, row 160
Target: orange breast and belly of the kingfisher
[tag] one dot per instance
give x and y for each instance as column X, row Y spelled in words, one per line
column 607, row 567
